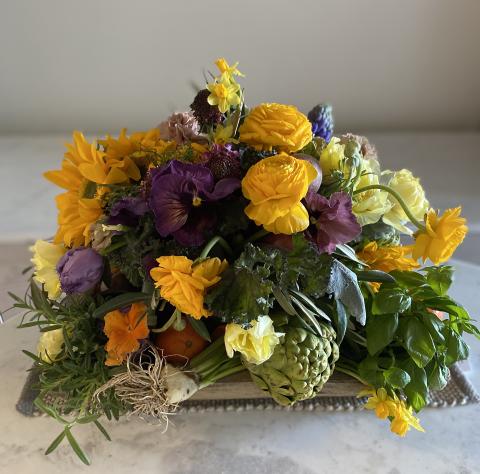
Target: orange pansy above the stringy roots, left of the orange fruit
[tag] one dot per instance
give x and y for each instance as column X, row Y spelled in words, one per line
column 124, row 330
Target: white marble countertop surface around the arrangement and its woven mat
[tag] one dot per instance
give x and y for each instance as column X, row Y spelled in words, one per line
column 245, row 442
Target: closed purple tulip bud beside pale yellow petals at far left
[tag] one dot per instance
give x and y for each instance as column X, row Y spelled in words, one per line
column 80, row 270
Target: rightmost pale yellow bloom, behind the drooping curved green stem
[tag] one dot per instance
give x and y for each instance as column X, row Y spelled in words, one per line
column 412, row 193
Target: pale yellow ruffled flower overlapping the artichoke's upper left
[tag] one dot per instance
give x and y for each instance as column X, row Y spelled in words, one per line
column 256, row 344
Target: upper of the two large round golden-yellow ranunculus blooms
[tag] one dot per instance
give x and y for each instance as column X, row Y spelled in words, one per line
column 277, row 126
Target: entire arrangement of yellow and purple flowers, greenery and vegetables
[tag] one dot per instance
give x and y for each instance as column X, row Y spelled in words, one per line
column 233, row 239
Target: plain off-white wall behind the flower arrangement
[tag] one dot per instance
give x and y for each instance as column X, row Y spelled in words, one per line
column 99, row 65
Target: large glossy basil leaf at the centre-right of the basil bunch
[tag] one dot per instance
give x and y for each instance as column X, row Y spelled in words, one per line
column 417, row 341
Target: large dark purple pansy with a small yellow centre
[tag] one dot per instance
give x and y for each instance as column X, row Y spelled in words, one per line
column 180, row 199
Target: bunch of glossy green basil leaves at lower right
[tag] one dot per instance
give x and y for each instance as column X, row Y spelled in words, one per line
column 405, row 347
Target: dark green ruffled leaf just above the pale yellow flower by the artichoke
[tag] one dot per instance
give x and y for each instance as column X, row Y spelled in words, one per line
column 241, row 296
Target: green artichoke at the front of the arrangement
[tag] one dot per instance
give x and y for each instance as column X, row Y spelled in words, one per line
column 301, row 363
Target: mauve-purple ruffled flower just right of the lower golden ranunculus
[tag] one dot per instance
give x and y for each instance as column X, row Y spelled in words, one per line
column 332, row 220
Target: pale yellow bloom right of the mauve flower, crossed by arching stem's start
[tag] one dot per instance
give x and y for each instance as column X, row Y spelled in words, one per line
column 370, row 205
